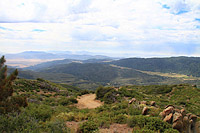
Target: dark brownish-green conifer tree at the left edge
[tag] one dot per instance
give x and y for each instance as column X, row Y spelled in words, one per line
column 9, row 103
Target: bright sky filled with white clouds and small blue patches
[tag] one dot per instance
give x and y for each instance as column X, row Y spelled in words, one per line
column 122, row 28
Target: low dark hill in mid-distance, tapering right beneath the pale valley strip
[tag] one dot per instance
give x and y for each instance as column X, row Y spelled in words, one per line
column 105, row 74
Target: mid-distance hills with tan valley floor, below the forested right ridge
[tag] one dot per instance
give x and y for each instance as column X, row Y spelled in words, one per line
column 91, row 75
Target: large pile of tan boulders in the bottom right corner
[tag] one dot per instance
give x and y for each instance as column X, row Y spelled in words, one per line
column 181, row 121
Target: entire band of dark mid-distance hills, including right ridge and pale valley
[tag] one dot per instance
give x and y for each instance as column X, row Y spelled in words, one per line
column 130, row 71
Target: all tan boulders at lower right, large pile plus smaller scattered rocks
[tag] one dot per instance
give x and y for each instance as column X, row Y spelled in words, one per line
column 179, row 119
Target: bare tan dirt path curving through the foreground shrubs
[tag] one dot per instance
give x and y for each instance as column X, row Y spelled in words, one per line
column 88, row 101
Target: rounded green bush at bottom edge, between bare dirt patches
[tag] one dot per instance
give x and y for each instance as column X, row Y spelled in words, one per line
column 88, row 127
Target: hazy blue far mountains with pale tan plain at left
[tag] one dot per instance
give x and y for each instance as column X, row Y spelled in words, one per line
column 31, row 58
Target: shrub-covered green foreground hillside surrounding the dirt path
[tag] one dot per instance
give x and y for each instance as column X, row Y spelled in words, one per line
column 52, row 107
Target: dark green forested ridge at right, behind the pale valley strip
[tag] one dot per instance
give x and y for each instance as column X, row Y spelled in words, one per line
column 180, row 65
